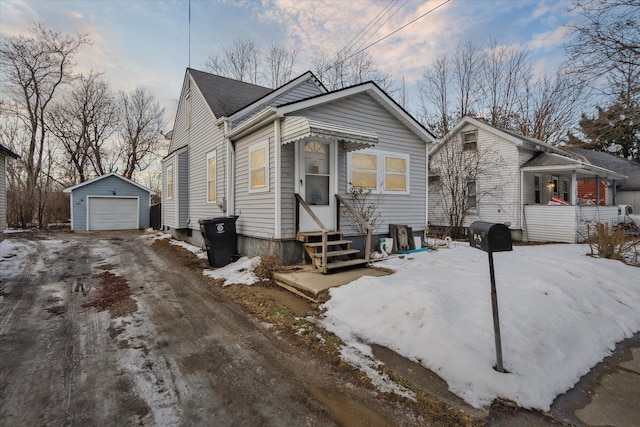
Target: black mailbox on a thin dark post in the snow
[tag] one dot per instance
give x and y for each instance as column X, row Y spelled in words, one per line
column 492, row 238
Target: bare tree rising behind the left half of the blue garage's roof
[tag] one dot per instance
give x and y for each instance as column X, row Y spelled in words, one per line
column 83, row 123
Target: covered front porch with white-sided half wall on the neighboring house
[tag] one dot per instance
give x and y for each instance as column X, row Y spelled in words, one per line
column 555, row 210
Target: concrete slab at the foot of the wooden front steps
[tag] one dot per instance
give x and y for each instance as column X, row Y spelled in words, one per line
column 309, row 282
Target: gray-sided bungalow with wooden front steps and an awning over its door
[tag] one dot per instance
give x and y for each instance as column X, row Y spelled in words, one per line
column 284, row 162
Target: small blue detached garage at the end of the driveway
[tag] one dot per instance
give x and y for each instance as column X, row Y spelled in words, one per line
column 109, row 202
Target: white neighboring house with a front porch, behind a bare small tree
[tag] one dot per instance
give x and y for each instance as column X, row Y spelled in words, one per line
column 534, row 185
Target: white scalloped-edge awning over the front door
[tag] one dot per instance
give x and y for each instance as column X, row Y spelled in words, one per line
column 295, row 128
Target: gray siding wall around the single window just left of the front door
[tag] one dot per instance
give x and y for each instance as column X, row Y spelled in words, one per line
column 256, row 210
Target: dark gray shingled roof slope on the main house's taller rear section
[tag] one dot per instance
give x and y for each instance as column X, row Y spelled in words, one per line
column 226, row 96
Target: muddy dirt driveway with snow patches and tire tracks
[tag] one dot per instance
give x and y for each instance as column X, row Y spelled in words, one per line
column 186, row 356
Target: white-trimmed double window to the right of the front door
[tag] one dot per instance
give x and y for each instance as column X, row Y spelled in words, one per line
column 381, row 171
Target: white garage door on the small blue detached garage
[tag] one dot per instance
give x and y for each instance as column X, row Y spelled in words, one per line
column 113, row 213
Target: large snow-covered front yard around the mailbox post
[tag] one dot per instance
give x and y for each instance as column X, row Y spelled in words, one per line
column 561, row 312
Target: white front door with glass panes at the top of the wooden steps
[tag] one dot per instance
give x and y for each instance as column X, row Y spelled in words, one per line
column 317, row 170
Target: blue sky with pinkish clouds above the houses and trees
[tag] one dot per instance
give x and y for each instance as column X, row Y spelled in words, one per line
column 146, row 43
